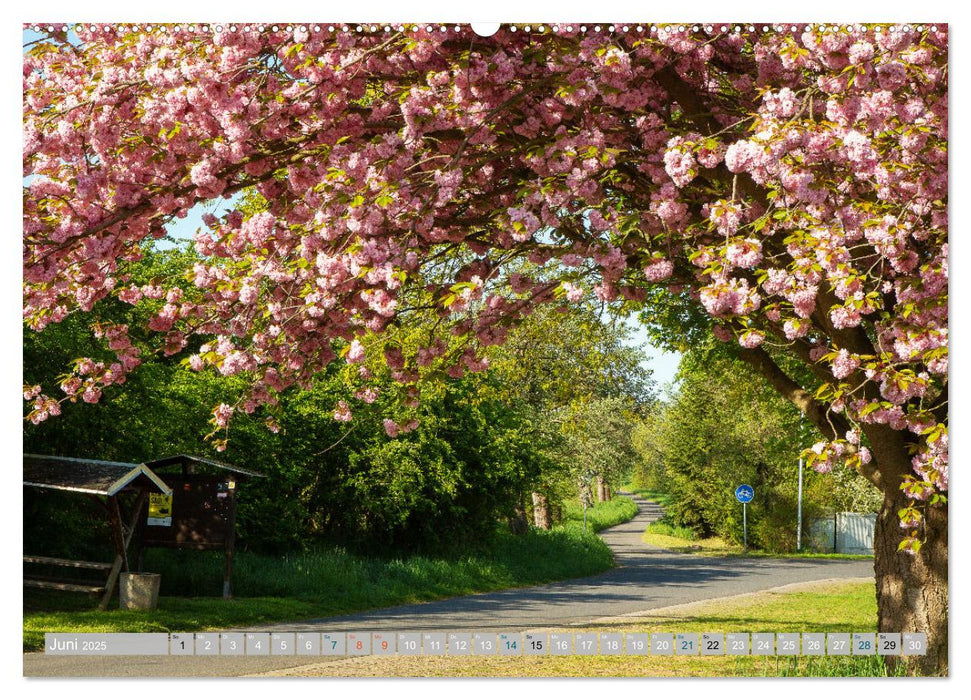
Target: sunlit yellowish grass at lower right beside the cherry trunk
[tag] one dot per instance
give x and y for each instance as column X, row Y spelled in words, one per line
column 819, row 607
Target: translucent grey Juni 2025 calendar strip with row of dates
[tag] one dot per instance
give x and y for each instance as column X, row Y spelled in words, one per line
column 556, row 643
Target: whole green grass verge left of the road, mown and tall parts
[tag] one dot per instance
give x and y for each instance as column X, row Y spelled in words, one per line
column 328, row 582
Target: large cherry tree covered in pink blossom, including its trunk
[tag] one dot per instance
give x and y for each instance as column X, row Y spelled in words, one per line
column 789, row 181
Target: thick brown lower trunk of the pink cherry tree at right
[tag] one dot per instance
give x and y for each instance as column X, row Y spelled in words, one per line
column 912, row 588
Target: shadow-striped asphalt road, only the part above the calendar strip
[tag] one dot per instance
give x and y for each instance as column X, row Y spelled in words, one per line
column 645, row 578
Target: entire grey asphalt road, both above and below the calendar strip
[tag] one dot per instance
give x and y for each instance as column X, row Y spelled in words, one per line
column 645, row 578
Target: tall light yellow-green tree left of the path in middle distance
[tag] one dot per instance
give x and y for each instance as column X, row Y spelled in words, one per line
column 580, row 383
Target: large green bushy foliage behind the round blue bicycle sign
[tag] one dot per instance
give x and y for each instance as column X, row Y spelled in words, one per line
column 725, row 426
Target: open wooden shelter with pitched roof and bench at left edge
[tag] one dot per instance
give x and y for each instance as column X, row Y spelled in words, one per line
column 106, row 482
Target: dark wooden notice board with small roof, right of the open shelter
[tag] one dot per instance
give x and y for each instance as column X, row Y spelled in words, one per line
column 202, row 510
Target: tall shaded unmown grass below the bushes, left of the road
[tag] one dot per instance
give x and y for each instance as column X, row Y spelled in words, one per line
column 360, row 582
